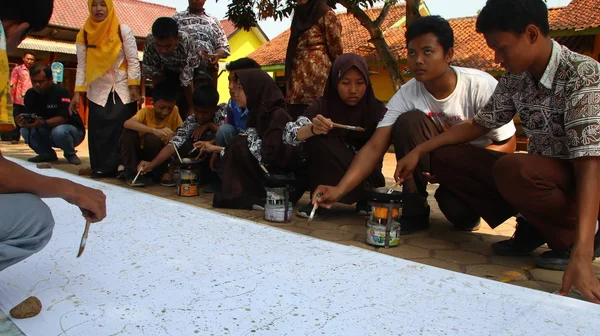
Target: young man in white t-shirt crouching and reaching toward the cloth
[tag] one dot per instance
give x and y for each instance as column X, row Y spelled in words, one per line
column 439, row 97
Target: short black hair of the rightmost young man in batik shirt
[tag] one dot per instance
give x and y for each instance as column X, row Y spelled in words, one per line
column 513, row 16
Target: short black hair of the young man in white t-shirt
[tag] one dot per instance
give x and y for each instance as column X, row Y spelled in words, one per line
column 434, row 24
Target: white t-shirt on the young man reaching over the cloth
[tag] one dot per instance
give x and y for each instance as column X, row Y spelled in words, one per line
column 473, row 90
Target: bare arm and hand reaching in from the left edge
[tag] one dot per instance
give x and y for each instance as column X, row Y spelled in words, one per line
column 16, row 179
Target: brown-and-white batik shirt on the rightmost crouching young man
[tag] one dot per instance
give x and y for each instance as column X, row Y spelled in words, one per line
column 560, row 114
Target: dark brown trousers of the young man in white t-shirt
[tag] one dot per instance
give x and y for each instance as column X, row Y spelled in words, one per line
column 410, row 130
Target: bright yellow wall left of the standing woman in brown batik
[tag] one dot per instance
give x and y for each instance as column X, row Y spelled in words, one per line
column 242, row 44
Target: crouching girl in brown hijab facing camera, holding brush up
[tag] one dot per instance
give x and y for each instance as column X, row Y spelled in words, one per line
column 348, row 100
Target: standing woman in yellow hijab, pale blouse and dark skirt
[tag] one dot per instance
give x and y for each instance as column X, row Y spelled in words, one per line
column 108, row 75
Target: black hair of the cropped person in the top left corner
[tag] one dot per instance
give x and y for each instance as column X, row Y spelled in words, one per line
column 35, row 12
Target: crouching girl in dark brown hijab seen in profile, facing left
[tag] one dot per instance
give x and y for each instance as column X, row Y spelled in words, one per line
column 262, row 143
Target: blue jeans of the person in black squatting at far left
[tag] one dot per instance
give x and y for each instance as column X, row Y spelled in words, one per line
column 41, row 140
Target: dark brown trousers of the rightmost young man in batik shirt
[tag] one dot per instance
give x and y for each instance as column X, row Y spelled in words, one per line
column 501, row 185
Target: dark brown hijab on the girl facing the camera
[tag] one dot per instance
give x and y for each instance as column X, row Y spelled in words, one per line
column 367, row 113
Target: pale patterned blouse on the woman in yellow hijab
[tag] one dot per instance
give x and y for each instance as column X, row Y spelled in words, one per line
column 113, row 79
